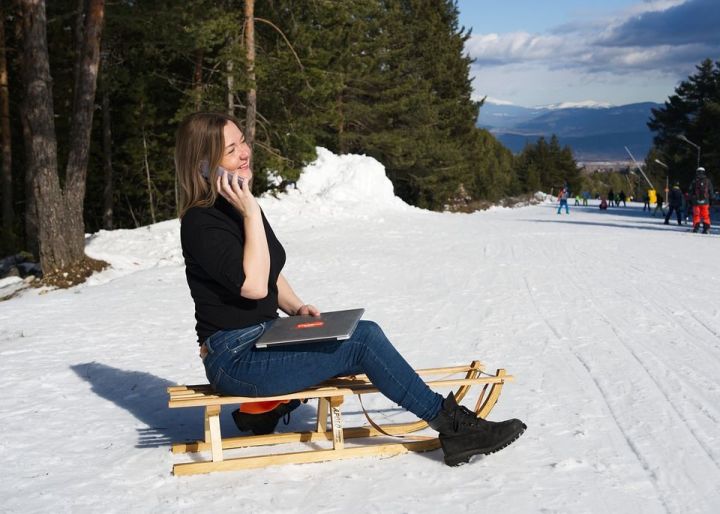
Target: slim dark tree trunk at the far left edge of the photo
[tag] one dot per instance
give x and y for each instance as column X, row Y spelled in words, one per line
column 7, row 196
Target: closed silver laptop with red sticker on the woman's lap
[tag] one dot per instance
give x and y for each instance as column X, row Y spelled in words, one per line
column 329, row 326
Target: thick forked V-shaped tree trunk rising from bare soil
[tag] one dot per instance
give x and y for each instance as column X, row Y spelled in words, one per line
column 60, row 215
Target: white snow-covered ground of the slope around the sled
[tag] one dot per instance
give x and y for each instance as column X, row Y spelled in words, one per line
column 609, row 321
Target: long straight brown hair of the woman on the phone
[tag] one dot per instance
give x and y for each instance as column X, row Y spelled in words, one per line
column 199, row 138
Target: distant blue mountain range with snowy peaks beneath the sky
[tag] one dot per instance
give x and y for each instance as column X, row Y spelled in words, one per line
column 595, row 132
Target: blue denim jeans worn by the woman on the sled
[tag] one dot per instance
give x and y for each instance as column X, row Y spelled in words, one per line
column 235, row 367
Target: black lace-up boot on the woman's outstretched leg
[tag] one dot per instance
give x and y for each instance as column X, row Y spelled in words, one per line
column 463, row 434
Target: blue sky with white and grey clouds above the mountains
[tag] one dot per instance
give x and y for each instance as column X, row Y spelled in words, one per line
column 612, row 51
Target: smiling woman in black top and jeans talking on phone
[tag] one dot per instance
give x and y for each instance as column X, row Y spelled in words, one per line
column 233, row 268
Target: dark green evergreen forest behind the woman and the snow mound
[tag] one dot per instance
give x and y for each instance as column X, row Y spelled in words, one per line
column 385, row 78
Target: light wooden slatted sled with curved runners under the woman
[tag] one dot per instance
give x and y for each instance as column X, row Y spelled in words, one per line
column 331, row 395
